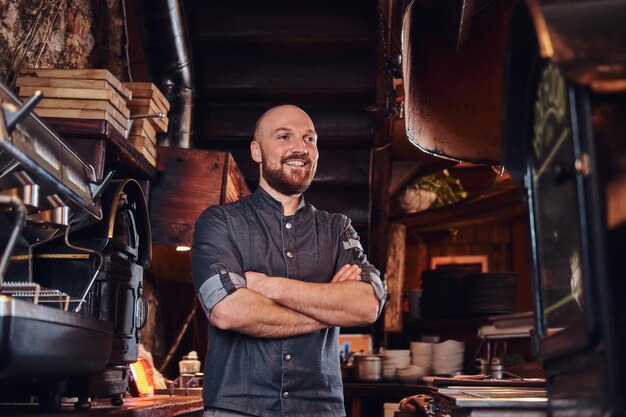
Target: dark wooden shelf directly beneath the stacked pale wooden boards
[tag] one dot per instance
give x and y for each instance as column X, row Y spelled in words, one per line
column 126, row 156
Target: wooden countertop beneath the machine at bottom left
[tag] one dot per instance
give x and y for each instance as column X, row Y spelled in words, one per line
column 156, row 406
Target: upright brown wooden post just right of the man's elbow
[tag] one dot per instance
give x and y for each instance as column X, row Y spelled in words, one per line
column 395, row 278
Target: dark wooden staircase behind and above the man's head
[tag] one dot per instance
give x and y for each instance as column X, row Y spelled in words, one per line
column 250, row 55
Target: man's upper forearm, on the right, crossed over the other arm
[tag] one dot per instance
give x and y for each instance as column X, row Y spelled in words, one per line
column 343, row 304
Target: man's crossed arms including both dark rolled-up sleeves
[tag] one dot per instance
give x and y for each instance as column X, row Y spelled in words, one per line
column 274, row 307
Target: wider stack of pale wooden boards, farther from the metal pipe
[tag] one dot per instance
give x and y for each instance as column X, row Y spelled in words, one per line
column 78, row 94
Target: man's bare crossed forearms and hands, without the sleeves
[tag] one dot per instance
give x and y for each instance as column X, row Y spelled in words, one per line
column 279, row 307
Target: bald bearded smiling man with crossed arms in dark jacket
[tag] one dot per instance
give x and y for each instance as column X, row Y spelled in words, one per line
column 277, row 278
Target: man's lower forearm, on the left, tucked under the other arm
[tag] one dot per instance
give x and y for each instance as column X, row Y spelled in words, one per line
column 251, row 313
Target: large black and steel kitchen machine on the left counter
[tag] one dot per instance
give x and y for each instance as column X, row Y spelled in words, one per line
column 73, row 253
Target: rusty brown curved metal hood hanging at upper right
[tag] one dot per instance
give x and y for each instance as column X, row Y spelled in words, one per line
column 452, row 104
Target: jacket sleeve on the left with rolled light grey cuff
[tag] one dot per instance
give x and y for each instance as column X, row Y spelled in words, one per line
column 216, row 265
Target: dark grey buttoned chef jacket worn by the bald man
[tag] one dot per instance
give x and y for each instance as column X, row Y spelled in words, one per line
column 293, row 376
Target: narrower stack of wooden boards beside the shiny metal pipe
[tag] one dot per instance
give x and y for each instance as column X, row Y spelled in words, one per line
column 146, row 104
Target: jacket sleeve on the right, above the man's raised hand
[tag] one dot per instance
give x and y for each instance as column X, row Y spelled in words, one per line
column 351, row 252
